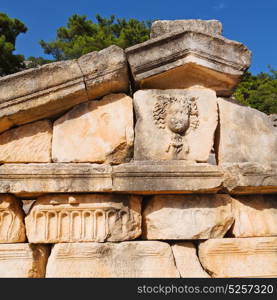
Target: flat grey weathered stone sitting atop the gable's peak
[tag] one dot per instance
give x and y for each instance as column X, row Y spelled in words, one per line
column 161, row 27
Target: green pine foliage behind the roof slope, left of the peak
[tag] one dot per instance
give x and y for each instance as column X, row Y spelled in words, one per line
column 82, row 36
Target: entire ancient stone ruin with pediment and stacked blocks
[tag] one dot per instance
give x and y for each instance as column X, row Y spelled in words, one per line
column 138, row 163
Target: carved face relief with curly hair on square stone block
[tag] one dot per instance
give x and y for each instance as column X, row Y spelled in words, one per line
column 179, row 115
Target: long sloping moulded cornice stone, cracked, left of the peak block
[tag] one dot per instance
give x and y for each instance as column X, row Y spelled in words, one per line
column 54, row 88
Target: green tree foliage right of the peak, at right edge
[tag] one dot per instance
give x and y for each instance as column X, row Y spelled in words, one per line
column 259, row 91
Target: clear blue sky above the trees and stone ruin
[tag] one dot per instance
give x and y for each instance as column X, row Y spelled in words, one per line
column 252, row 22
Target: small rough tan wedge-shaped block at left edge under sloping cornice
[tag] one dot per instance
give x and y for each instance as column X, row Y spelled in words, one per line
column 27, row 143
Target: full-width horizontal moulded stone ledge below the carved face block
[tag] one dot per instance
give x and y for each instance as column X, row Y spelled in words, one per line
column 143, row 177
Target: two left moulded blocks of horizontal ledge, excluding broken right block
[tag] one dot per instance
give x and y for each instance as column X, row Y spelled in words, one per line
column 143, row 177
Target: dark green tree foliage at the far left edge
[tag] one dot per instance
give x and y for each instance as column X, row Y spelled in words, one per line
column 9, row 30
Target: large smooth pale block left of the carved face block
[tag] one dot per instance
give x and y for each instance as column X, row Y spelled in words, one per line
column 95, row 131
